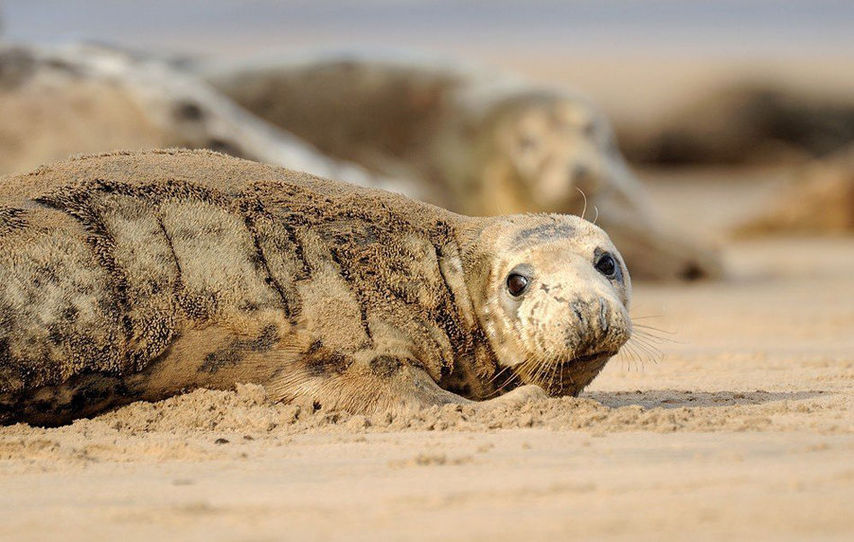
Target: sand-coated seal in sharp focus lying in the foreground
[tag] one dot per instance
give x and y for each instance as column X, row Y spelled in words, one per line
column 141, row 275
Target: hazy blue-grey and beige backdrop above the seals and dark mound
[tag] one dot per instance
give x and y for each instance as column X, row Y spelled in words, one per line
column 639, row 59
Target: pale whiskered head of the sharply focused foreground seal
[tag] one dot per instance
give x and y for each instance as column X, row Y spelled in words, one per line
column 552, row 295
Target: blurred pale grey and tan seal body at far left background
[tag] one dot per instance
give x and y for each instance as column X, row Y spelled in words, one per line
column 87, row 98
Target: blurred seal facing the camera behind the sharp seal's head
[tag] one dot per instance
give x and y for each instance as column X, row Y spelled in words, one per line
column 477, row 143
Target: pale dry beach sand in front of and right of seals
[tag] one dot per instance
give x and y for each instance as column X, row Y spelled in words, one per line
column 742, row 427
